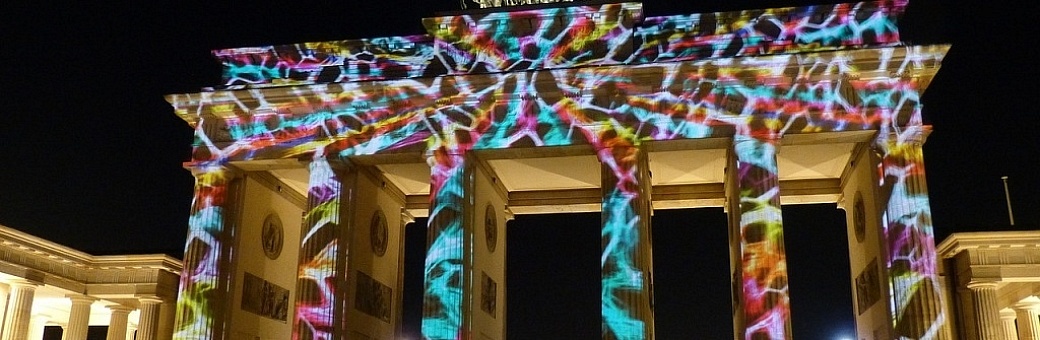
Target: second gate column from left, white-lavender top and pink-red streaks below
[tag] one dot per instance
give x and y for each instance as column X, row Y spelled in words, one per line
column 324, row 251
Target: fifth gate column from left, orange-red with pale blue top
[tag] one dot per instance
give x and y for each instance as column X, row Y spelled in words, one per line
column 760, row 265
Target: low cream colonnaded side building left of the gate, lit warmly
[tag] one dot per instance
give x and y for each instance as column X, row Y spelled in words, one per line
column 44, row 284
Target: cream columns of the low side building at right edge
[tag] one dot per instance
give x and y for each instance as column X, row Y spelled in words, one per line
column 1021, row 322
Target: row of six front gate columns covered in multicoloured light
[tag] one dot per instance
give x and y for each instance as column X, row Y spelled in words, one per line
column 761, row 292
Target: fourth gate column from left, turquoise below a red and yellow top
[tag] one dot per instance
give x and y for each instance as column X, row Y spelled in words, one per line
column 627, row 264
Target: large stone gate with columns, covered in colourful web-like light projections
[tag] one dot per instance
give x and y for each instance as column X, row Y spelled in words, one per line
column 555, row 110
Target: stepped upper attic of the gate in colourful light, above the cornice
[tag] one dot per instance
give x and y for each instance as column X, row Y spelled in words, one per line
column 602, row 35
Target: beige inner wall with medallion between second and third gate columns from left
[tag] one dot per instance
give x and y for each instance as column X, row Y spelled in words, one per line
column 374, row 268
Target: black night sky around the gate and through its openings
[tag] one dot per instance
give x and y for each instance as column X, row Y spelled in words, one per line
column 91, row 153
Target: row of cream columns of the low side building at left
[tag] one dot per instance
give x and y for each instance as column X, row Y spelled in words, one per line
column 20, row 324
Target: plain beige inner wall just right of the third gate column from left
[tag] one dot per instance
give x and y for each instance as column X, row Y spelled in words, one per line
column 486, row 227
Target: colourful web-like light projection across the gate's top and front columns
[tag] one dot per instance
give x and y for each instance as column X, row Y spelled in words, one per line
column 687, row 79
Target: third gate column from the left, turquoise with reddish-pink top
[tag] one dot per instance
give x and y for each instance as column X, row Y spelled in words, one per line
column 443, row 310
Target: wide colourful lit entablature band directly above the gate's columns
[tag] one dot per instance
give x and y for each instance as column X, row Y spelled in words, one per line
column 805, row 94
